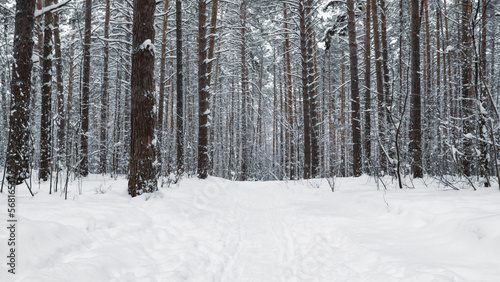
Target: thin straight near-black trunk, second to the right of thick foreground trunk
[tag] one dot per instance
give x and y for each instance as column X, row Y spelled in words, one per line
column 180, row 95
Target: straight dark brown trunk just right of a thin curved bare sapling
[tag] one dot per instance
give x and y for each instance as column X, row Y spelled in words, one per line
column 415, row 145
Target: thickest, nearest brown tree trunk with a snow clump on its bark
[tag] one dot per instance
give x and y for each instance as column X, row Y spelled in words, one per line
column 143, row 173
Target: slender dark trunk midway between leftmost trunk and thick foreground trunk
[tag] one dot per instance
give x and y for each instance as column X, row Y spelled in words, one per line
column 84, row 162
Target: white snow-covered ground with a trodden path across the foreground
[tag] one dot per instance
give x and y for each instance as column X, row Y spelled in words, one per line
column 218, row 230
